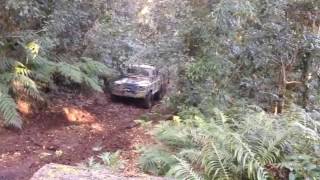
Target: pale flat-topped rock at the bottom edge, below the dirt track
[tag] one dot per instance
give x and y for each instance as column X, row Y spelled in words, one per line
column 63, row 172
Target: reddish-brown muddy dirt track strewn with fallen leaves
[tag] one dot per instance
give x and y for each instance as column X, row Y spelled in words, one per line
column 72, row 129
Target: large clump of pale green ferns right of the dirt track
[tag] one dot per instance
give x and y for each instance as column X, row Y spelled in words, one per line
column 241, row 145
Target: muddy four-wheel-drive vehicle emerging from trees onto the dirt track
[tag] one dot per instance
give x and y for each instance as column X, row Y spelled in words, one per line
column 142, row 82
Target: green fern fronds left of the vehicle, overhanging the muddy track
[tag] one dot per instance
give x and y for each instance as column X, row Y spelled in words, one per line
column 29, row 76
